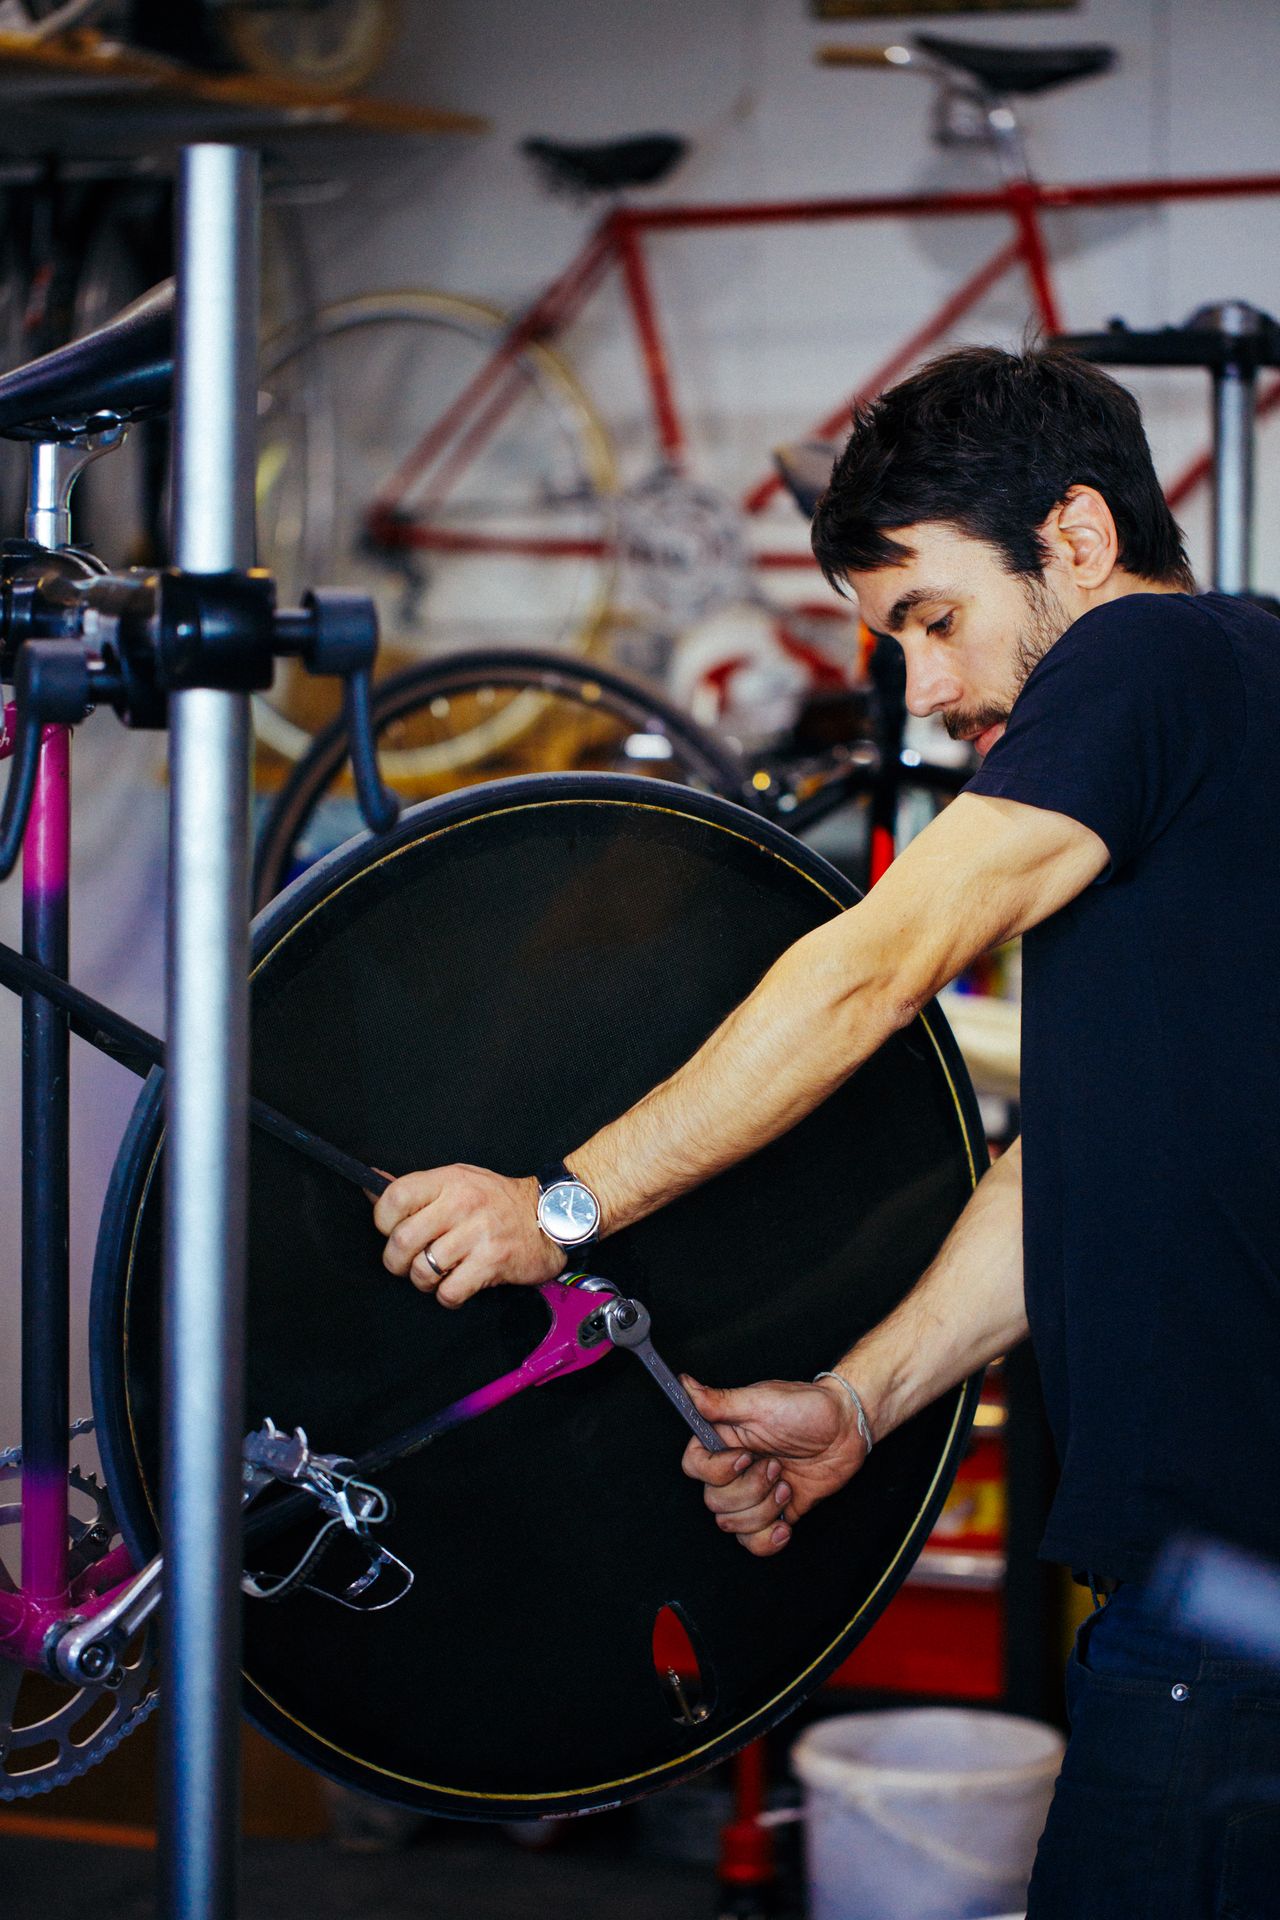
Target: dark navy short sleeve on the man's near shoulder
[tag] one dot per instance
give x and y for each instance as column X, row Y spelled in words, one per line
column 1124, row 723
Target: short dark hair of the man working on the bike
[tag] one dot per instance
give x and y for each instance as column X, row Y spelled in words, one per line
column 991, row 443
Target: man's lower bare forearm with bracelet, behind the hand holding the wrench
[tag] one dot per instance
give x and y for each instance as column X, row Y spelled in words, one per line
column 964, row 1312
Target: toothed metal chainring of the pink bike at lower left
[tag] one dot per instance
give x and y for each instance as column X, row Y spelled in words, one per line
column 53, row 1733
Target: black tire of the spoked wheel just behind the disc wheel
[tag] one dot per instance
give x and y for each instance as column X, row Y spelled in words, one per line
column 602, row 690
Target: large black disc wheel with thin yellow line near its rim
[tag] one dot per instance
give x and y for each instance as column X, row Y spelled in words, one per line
column 500, row 976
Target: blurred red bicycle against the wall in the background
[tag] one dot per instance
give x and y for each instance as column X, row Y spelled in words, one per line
column 450, row 460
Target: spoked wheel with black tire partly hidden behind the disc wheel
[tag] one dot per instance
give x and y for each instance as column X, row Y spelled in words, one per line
column 542, row 713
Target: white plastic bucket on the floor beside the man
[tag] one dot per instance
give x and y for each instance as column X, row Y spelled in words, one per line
column 926, row 1813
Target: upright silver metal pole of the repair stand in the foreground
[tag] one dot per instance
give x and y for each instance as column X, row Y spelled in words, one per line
column 206, row 1107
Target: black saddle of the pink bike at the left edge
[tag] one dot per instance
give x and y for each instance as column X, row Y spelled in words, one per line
column 122, row 372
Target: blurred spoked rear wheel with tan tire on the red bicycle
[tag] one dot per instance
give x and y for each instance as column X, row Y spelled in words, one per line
column 339, row 423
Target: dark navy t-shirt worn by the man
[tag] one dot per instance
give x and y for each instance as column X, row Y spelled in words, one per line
column 1152, row 1076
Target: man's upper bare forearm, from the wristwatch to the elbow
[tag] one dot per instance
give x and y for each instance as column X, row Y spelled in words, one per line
column 809, row 1024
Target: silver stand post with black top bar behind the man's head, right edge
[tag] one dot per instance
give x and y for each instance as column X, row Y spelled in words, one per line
column 1233, row 343
